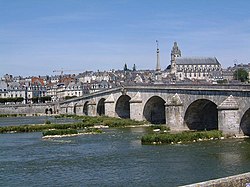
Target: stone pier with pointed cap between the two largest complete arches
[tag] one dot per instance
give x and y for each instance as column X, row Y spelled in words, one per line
column 174, row 111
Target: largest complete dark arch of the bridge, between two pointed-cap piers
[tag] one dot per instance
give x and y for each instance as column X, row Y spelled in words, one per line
column 202, row 114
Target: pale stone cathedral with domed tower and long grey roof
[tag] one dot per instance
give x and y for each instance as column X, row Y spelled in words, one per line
column 194, row 68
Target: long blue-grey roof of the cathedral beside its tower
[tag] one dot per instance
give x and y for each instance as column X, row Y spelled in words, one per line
column 197, row 61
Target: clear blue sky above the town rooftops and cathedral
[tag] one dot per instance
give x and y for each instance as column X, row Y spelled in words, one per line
column 40, row 36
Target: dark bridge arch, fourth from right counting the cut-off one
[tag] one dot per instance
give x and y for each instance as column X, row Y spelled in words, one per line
column 122, row 107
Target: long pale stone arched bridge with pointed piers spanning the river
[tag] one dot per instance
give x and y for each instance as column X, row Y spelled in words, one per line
column 181, row 107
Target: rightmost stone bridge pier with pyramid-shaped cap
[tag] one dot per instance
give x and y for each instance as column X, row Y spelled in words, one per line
column 228, row 116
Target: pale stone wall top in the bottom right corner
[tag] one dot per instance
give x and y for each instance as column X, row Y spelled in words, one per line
column 242, row 180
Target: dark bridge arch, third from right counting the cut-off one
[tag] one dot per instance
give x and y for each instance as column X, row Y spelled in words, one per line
column 154, row 110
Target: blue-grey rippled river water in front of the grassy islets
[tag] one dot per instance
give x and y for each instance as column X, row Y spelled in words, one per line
column 115, row 158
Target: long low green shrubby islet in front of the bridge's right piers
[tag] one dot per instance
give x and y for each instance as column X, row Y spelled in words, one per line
column 184, row 137
